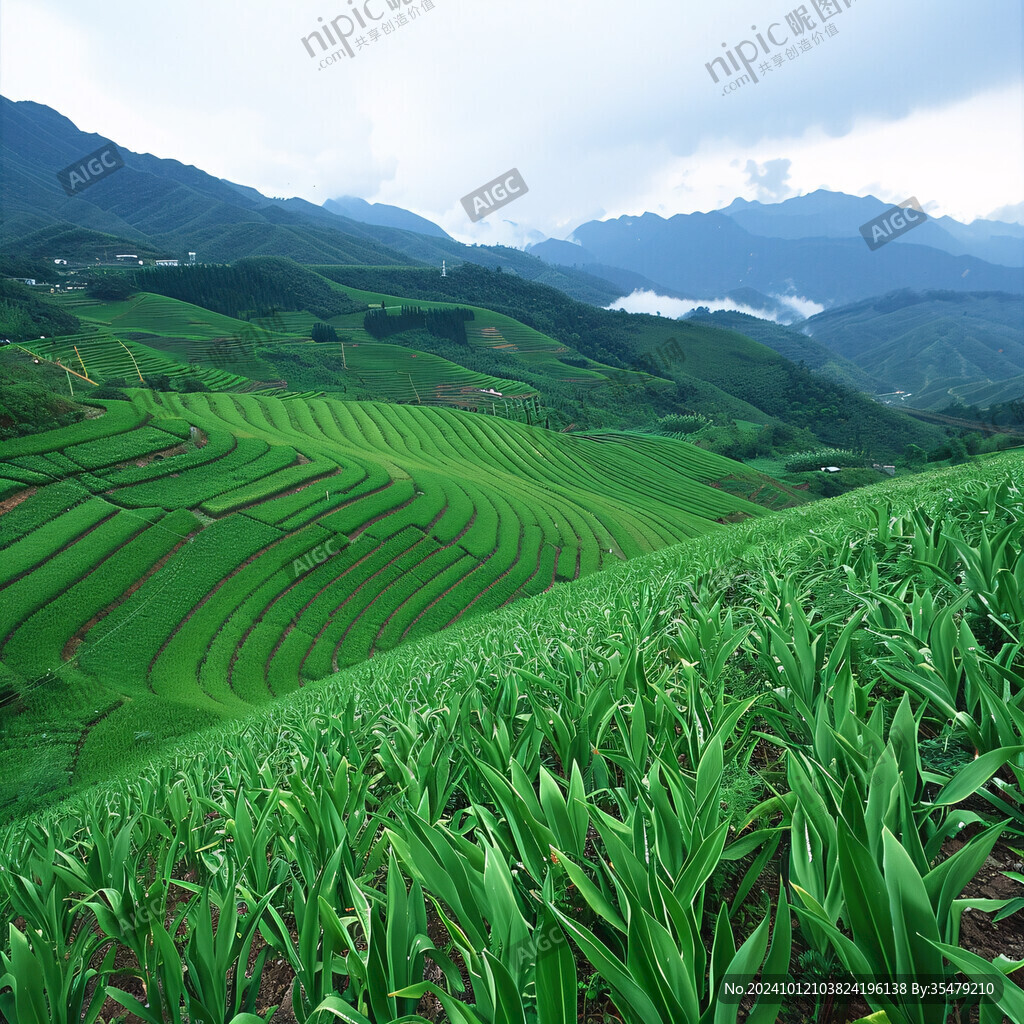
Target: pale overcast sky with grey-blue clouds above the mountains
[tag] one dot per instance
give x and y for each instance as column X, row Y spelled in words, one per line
column 606, row 111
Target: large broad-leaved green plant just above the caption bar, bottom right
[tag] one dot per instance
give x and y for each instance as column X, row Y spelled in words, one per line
column 868, row 863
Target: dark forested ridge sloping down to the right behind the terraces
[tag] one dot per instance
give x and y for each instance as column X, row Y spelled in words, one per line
column 721, row 374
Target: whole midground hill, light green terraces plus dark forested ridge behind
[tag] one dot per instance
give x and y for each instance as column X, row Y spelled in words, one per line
column 584, row 368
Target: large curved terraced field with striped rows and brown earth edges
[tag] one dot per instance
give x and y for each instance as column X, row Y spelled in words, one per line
column 185, row 558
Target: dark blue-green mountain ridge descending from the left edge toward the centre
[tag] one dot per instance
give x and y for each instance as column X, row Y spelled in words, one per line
column 167, row 208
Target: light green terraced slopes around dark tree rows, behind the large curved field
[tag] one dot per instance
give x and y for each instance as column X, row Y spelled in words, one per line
column 167, row 335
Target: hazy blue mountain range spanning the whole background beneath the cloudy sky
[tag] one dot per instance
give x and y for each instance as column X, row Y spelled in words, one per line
column 934, row 346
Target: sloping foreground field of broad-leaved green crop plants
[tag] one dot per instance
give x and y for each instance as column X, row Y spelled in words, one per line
column 795, row 747
